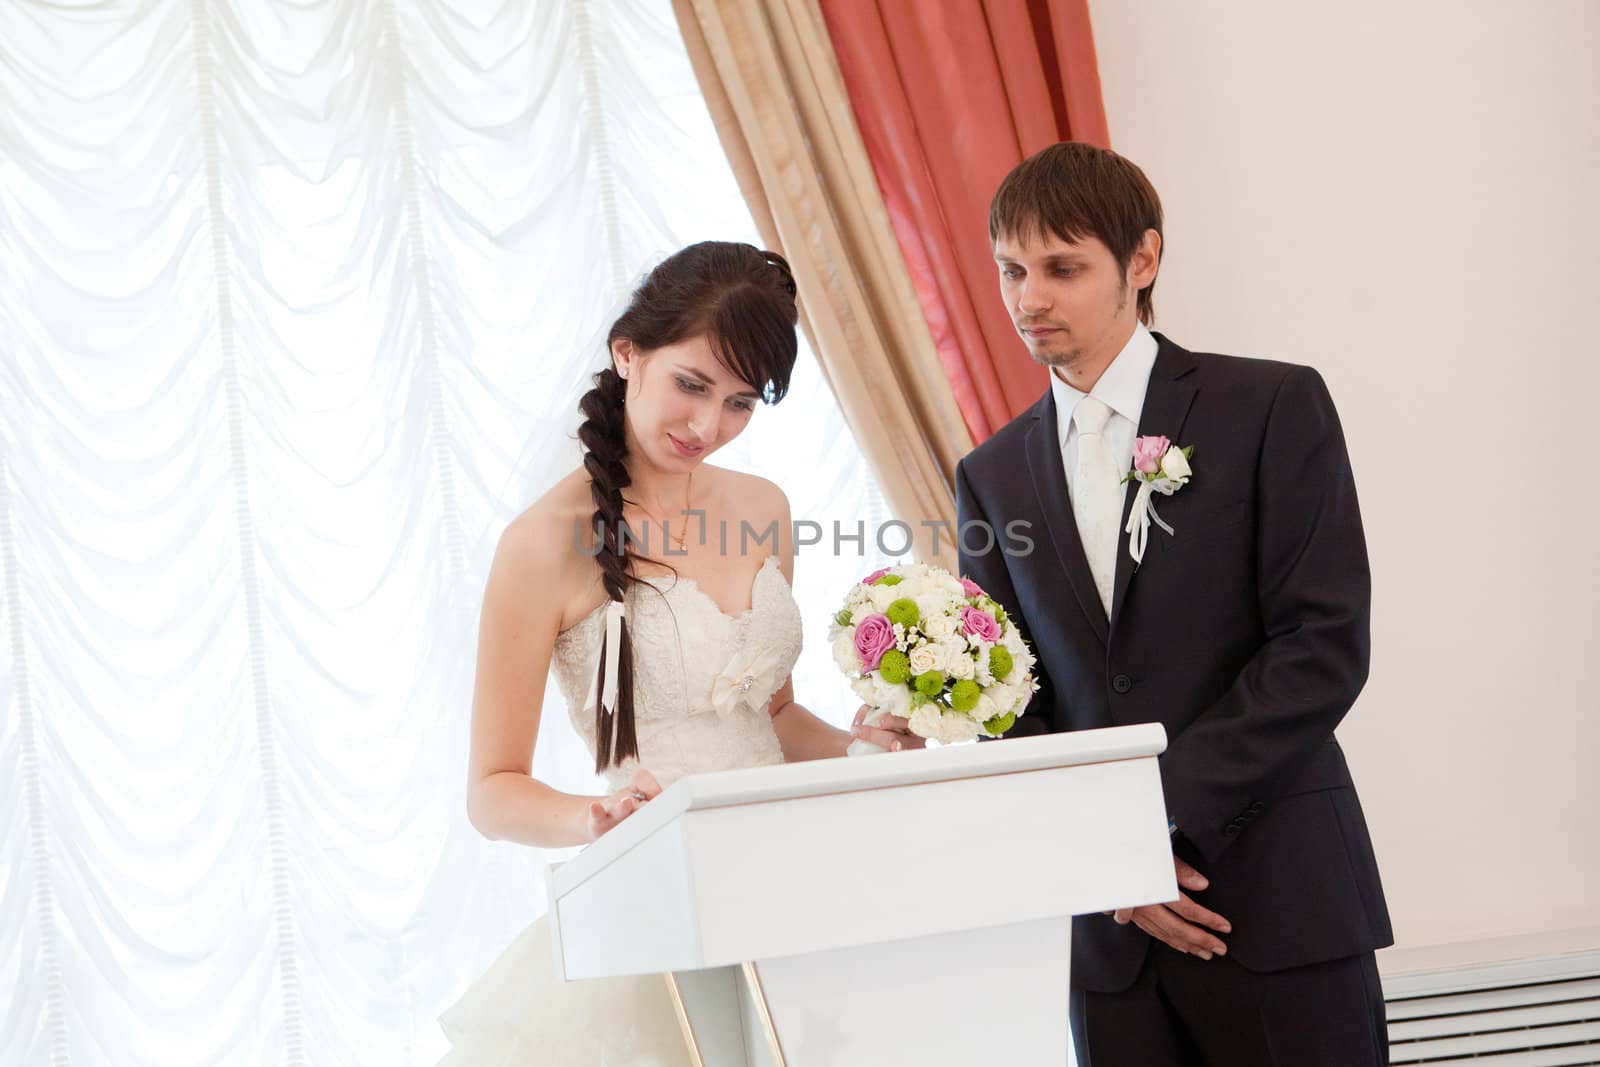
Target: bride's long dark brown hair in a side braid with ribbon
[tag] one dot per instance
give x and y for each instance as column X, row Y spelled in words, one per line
column 743, row 302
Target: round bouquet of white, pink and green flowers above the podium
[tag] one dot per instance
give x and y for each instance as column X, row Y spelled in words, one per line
column 919, row 642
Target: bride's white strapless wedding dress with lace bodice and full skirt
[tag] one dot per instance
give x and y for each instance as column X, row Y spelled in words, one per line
column 702, row 687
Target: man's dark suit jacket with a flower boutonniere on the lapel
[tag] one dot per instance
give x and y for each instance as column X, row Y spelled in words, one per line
column 1246, row 634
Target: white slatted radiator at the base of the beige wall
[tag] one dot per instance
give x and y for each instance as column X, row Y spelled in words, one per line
column 1524, row 1013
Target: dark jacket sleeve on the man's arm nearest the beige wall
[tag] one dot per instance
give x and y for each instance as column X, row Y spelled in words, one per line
column 1314, row 591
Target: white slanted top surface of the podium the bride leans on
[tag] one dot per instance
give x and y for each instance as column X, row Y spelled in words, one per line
column 818, row 778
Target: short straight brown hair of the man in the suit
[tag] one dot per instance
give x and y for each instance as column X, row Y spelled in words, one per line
column 1076, row 190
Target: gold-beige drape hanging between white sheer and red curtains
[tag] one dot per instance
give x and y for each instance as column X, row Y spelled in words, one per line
column 772, row 82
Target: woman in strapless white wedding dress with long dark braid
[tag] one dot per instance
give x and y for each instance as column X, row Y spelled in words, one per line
column 649, row 581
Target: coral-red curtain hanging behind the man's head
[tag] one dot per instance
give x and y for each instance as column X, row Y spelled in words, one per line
column 951, row 95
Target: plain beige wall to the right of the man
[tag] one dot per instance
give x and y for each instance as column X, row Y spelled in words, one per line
column 1402, row 194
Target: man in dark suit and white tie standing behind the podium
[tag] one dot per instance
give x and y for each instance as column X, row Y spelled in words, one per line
column 1244, row 633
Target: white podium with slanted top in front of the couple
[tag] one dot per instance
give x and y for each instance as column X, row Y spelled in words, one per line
column 911, row 908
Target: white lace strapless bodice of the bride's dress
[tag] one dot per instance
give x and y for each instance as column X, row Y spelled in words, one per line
column 702, row 679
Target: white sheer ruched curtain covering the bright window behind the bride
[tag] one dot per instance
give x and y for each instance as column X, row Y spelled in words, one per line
column 295, row 306
